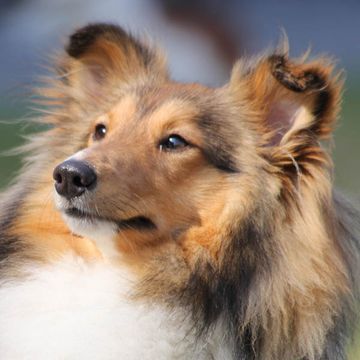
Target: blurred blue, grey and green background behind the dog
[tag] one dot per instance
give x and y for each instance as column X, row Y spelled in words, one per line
column 202, row 39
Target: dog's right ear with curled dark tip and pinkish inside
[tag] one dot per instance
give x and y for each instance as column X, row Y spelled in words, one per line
column 294, row 104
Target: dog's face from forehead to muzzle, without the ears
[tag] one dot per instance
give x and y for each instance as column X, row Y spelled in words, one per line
column 156, row 164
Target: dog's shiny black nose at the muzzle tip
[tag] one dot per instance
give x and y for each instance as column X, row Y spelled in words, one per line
column 73, row 177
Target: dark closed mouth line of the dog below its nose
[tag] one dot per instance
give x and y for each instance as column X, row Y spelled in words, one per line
column 137, row 222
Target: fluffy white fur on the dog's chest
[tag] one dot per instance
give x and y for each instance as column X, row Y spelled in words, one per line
column 73, row 310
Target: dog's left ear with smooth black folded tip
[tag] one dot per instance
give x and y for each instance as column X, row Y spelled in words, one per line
column 104, row 55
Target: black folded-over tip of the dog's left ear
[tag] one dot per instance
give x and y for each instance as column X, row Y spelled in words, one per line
column 84, row 37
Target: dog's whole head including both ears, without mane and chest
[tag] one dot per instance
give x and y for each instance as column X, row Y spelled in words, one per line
column 160, row 160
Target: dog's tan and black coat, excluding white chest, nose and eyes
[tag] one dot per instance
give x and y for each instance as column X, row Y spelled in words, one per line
column 258, row 242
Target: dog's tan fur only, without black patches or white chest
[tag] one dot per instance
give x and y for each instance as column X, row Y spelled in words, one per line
column 194, row 205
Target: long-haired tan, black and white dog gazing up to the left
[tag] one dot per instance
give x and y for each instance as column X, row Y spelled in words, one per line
column 161, row 220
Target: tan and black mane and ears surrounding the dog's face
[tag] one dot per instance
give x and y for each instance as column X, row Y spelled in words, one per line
column 277, row 268
